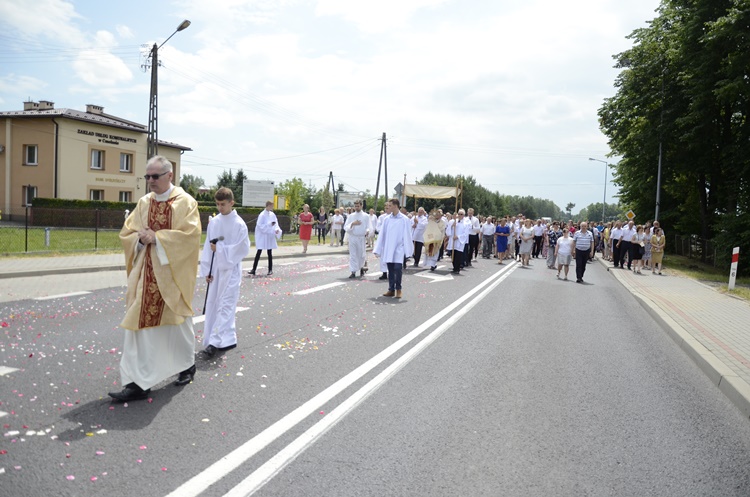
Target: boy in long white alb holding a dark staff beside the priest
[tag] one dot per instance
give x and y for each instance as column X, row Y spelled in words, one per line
column 221, row 265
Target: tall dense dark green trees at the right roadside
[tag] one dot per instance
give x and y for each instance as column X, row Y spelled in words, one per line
column 683, row 91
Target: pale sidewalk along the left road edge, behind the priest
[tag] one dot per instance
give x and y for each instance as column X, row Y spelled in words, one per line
column 17, row 267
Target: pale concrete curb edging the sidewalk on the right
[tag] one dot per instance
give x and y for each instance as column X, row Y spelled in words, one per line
column 732, row 386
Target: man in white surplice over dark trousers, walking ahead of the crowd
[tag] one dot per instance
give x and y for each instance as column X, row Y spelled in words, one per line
column 394, row 245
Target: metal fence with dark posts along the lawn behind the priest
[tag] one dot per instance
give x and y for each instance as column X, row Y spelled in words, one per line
column 38, row 230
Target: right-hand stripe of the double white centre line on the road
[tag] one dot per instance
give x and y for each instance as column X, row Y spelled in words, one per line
column 273, row 466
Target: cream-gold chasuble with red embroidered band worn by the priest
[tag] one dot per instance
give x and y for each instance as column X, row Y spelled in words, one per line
column 161, row 279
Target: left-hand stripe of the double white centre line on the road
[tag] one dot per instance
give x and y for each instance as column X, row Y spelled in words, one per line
column 218, row 470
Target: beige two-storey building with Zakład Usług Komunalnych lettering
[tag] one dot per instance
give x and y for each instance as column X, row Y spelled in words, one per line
column 71, row 154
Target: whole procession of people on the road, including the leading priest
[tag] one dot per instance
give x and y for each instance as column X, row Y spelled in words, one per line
column 161, row 241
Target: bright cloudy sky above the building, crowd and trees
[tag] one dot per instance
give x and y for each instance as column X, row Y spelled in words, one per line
column 506, row 91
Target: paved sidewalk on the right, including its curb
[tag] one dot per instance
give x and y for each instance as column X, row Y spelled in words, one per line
column 711, row 327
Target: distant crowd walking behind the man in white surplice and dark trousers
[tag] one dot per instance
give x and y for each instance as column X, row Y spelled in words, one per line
column 462, row 235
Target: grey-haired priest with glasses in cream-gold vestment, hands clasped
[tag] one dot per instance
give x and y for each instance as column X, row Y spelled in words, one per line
column 161, row 239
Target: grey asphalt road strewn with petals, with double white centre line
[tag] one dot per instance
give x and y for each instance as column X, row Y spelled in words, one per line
column 501, row 381
